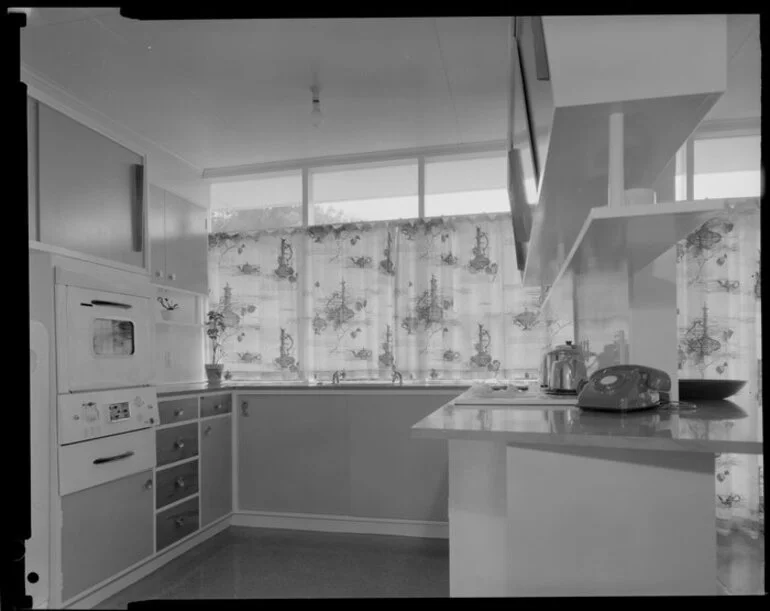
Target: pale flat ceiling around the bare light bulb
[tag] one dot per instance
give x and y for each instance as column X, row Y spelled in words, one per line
column 226, row 93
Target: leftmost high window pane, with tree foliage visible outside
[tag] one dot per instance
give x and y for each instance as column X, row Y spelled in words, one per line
column 265, row 202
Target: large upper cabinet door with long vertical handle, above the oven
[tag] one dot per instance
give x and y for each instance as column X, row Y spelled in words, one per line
column 88, row 201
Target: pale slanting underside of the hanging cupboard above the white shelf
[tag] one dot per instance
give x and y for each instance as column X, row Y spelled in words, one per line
column 576, row 172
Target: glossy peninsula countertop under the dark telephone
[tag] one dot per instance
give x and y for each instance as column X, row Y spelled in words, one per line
column 716, row 426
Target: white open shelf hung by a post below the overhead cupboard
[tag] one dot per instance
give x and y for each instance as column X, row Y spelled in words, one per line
column 635, row 235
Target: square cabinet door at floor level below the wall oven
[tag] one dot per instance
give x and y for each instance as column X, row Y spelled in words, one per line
column 105, row 529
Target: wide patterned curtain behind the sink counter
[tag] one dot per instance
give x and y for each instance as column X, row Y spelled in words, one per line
column 436, row 299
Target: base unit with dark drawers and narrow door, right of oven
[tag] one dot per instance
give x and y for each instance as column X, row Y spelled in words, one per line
column 194, row 465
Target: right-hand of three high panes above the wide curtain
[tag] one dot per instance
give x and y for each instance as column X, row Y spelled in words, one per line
column 466, row 185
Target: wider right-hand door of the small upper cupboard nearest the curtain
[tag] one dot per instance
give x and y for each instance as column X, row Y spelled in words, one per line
column 186, row 245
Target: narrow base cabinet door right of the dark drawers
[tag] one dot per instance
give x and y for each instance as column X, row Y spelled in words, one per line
column 216, row 468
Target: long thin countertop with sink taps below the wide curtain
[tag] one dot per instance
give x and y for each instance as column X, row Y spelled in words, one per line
column 169, row 390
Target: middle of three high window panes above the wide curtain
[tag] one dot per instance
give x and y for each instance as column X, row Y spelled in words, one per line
column 373, row 192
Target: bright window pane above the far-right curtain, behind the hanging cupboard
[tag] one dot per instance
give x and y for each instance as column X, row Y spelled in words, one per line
column 727, row 167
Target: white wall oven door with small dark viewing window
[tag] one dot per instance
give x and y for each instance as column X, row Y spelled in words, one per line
column 103, row 339
